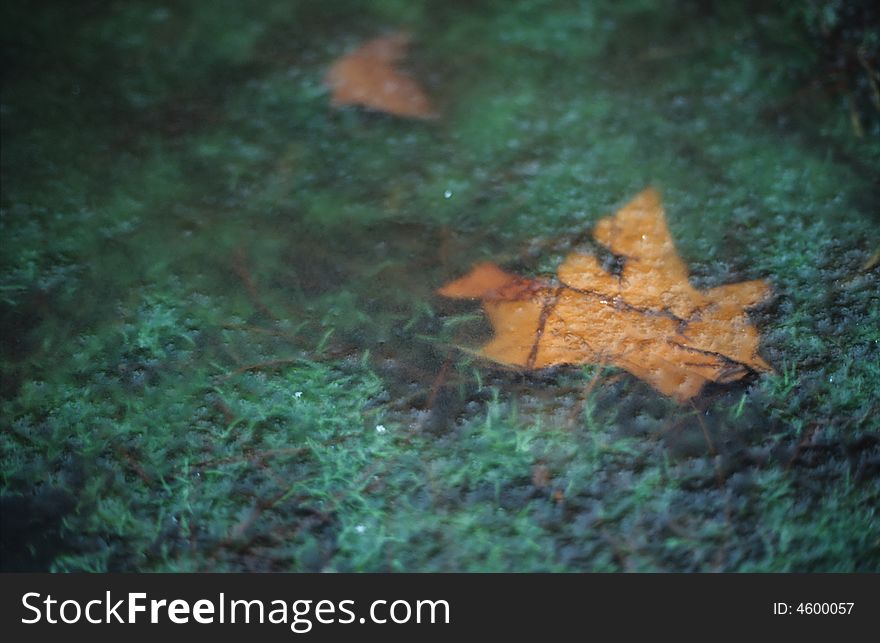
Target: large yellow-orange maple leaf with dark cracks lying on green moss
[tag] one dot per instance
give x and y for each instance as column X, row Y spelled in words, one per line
column 648, row 320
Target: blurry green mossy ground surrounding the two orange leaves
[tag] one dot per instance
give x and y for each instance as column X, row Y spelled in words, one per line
column 222, row 344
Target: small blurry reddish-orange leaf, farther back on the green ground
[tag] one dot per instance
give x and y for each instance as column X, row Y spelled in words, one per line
column 368, row 77
